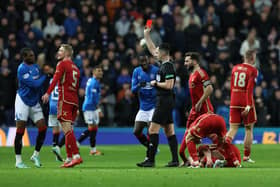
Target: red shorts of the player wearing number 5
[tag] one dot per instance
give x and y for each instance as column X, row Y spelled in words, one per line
column 66, row 112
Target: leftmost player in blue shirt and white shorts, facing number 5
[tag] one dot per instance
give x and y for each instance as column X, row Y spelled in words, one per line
column 27, row 105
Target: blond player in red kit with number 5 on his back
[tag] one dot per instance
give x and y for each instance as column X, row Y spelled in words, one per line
column 67, row 76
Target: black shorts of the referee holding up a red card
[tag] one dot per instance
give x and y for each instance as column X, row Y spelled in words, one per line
column 163, row 110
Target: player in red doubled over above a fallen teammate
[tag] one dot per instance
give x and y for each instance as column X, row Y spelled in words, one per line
column 205, row 126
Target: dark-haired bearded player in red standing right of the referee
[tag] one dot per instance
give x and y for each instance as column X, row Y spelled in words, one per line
column 200, row 89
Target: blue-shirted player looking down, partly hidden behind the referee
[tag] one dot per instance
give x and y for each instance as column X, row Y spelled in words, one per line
column 141, row 78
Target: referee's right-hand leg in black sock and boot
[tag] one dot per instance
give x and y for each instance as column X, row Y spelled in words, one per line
column 173, row 145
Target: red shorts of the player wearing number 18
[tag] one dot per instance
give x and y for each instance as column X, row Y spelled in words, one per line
column 235, row 116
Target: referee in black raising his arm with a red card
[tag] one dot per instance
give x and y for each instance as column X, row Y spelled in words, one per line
column 162, row 116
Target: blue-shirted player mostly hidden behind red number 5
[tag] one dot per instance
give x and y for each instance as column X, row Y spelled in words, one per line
column 54, row 123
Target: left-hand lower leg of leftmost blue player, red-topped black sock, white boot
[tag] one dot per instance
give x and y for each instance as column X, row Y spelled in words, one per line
column 18, row 144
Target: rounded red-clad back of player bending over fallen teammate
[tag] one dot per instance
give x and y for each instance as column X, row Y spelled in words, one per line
column 207, row 125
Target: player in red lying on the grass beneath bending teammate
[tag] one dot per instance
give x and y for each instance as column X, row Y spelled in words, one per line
column 211, row 155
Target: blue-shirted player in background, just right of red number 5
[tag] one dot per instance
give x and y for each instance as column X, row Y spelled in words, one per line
column 91, row 110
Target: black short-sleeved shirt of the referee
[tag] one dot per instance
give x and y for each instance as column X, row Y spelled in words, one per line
column 166, row 72
